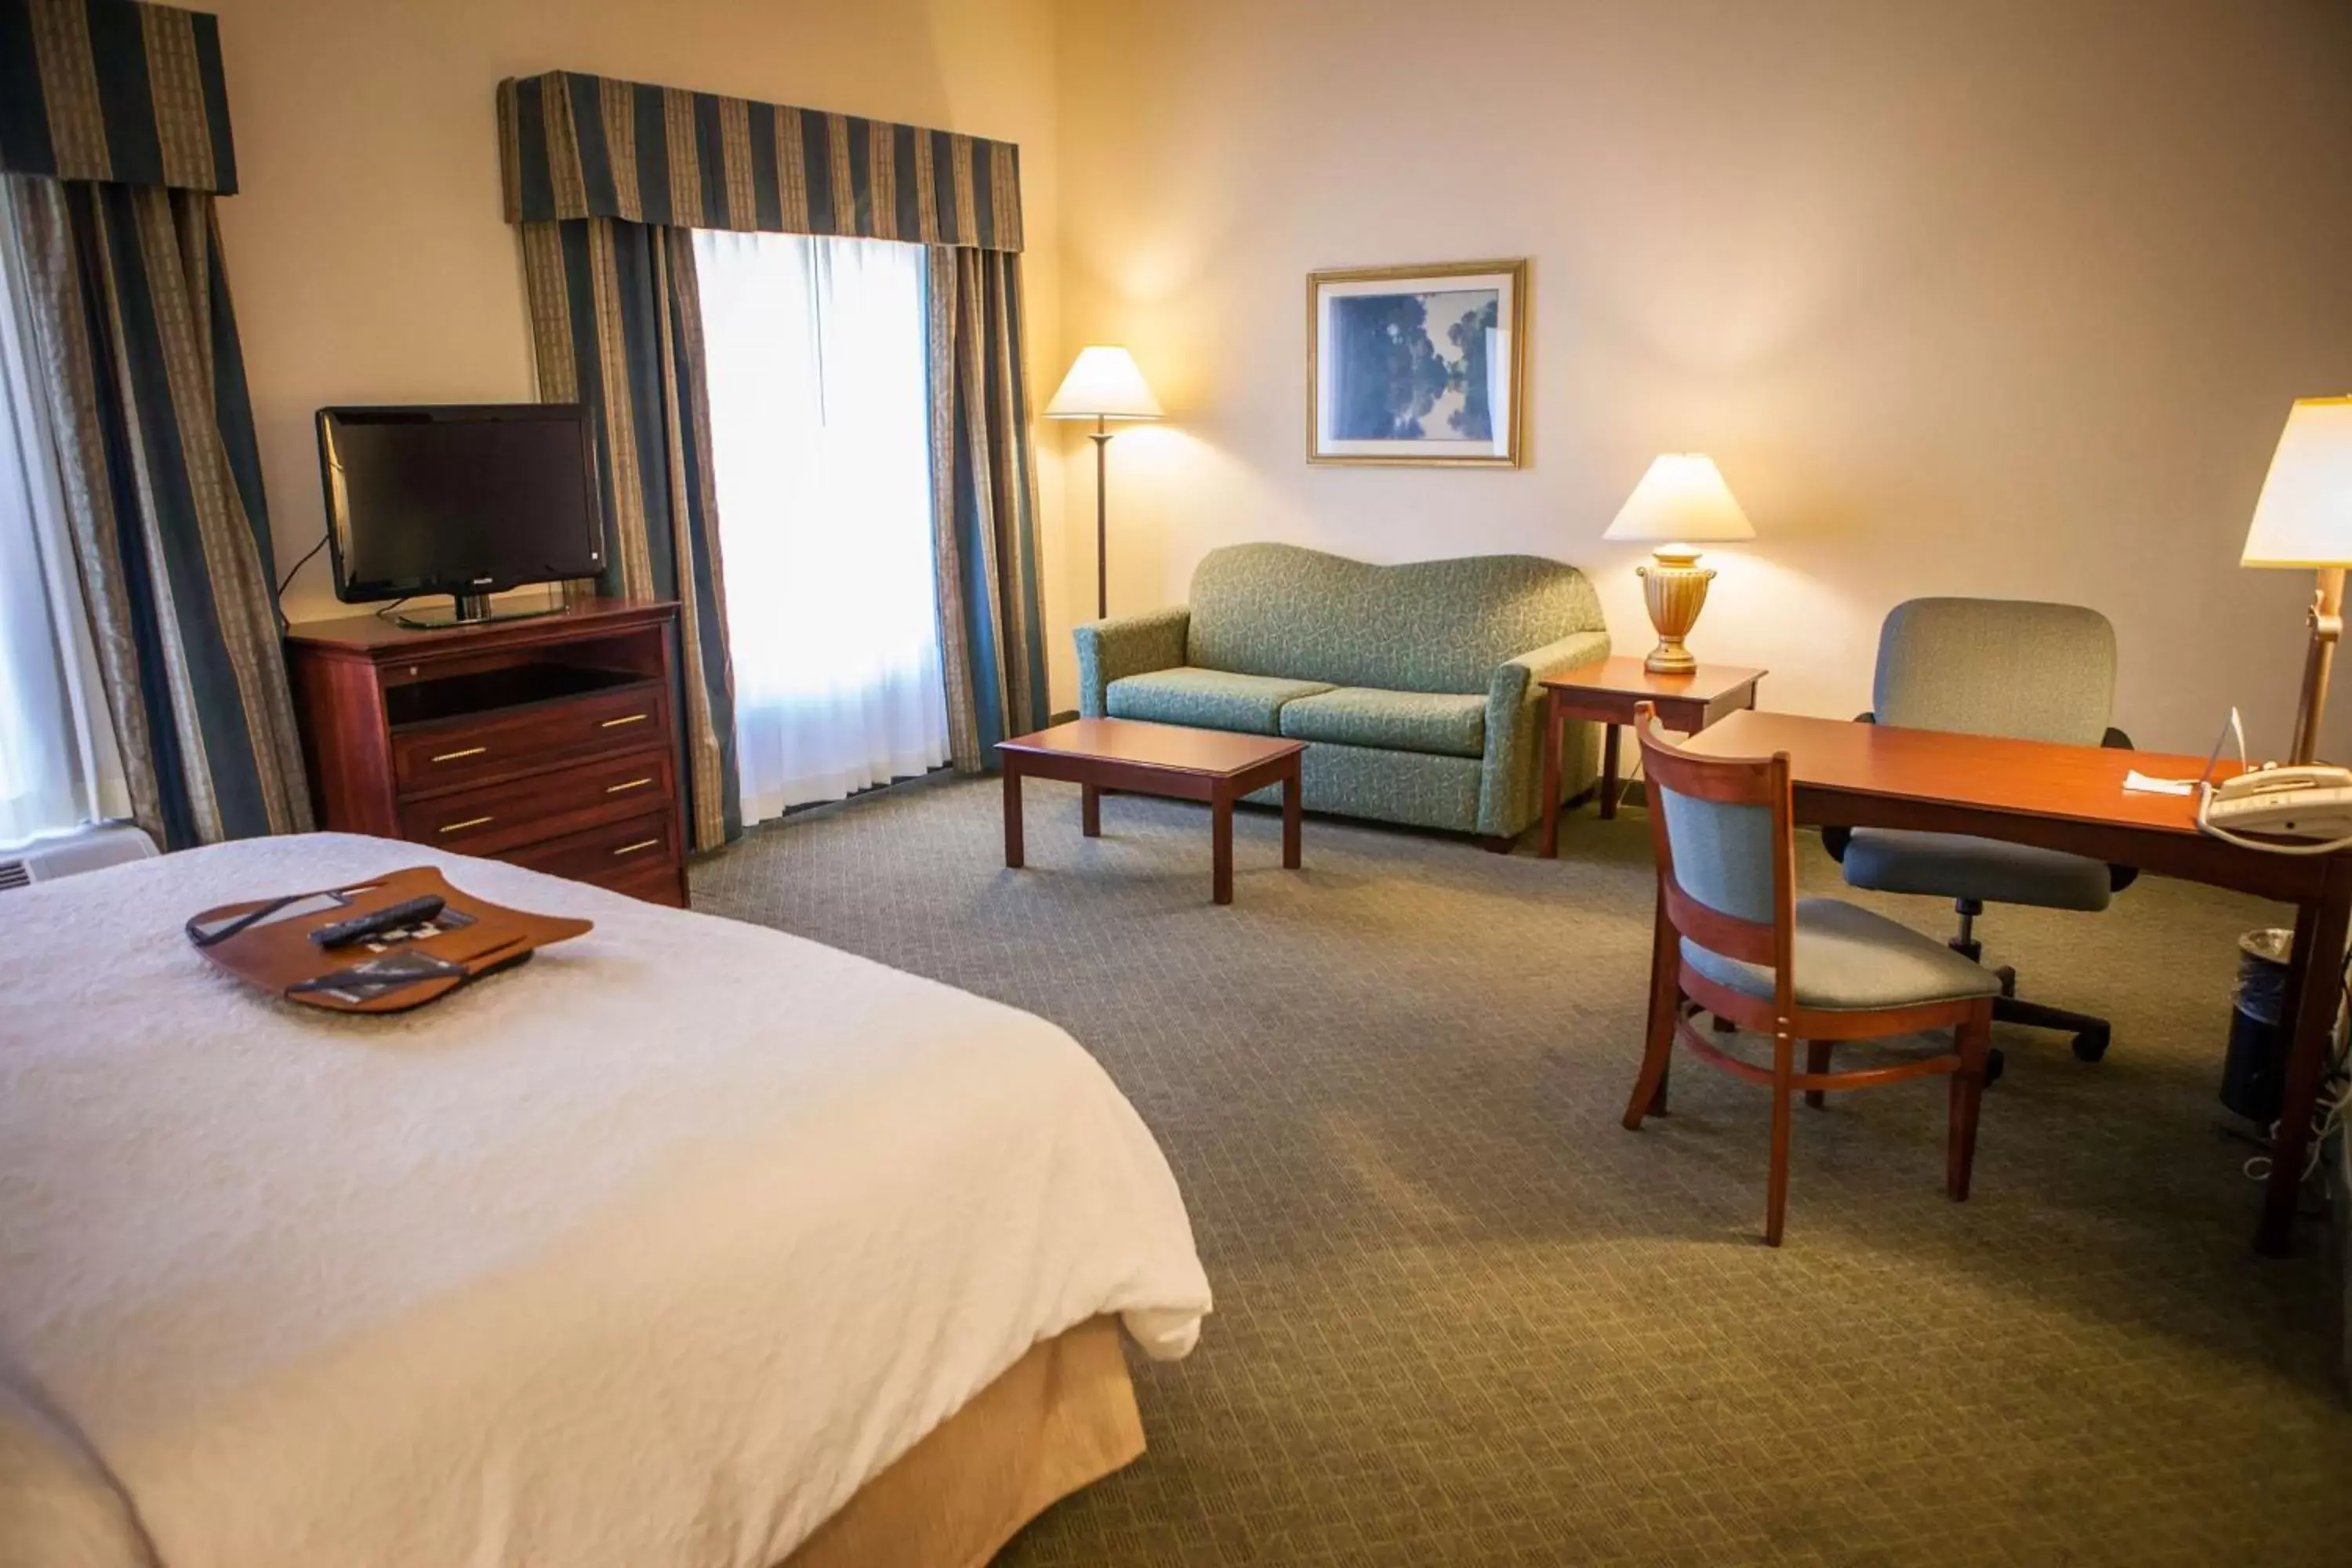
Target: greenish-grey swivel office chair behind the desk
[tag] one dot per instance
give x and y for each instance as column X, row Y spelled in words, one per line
column 1993, row 669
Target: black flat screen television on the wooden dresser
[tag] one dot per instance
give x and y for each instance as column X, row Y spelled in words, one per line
column 462, row 500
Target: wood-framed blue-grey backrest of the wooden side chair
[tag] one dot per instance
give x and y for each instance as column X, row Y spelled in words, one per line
column 1728, row 850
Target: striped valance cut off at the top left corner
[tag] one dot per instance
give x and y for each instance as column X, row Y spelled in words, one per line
column 114, row 93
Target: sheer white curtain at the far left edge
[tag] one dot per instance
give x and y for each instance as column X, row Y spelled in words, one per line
column 58, row 749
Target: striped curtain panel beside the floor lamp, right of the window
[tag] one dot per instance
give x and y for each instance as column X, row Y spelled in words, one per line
column 984, row 478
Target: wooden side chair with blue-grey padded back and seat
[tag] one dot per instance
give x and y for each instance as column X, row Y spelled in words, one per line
column 1737, row 942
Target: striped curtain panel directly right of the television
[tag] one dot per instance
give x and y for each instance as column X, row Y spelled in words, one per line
column 620, row 328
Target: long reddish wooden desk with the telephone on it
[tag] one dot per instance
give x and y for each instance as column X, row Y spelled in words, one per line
column 2073, row 798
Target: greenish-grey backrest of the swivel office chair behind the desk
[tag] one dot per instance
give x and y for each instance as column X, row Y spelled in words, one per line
column 1998, row 669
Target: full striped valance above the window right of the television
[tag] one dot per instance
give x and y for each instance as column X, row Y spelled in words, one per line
column 587, row 147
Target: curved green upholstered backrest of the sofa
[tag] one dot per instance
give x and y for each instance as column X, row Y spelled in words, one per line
column 1422, row 626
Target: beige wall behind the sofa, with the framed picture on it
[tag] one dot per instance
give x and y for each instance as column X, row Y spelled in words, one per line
column 1996, row 297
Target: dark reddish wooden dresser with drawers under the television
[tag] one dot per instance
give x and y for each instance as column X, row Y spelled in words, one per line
column 544, row 742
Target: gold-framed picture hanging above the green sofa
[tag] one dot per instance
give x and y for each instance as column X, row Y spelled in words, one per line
column 1417, row 363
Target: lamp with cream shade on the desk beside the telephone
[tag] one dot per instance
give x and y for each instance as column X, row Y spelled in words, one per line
column 2306, row 521
